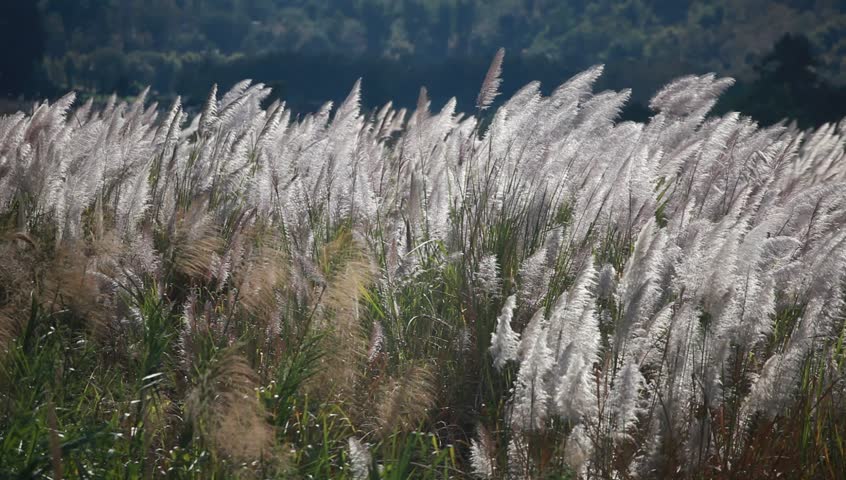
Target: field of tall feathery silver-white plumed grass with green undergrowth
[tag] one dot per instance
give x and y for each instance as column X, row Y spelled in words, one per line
column 537, row 291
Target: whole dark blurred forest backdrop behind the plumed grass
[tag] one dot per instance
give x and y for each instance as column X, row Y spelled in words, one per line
column 789, row 56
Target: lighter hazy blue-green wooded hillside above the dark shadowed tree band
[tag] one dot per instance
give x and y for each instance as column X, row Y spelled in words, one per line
column 665, row 34
